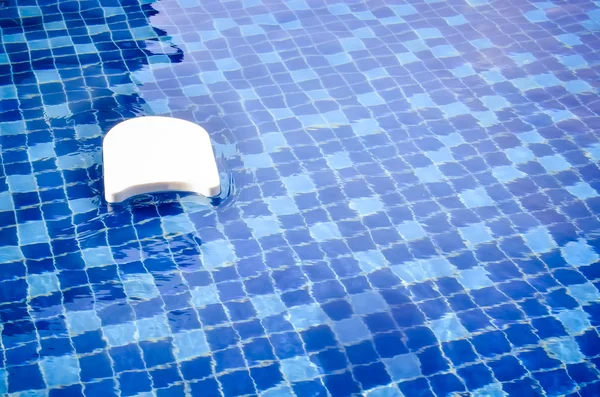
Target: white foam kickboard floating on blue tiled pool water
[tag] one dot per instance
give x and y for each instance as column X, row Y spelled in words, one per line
column 158, row 154
